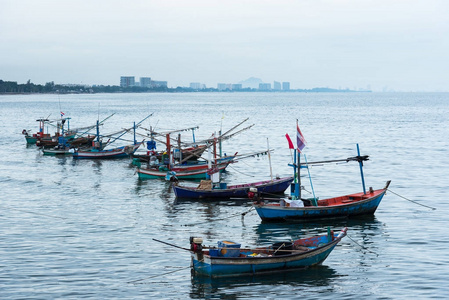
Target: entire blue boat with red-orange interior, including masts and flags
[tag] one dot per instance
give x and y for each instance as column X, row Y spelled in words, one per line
column 299, row 209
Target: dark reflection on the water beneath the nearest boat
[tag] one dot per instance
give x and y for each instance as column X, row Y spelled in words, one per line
column 227, row 287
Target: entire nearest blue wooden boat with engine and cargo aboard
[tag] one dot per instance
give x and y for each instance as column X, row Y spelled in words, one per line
column 228, row 259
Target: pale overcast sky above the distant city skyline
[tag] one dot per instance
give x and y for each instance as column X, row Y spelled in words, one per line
column 393, row 44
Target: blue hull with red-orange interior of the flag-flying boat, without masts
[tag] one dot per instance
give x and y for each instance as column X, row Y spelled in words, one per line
column 337, row 207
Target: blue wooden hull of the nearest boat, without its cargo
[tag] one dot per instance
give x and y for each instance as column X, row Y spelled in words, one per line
column 213, row 266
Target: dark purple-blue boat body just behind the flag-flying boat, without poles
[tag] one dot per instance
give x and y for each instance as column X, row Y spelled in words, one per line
column 206, row 190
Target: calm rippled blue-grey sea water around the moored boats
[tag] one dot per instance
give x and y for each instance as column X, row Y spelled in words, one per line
column 85, row 229
